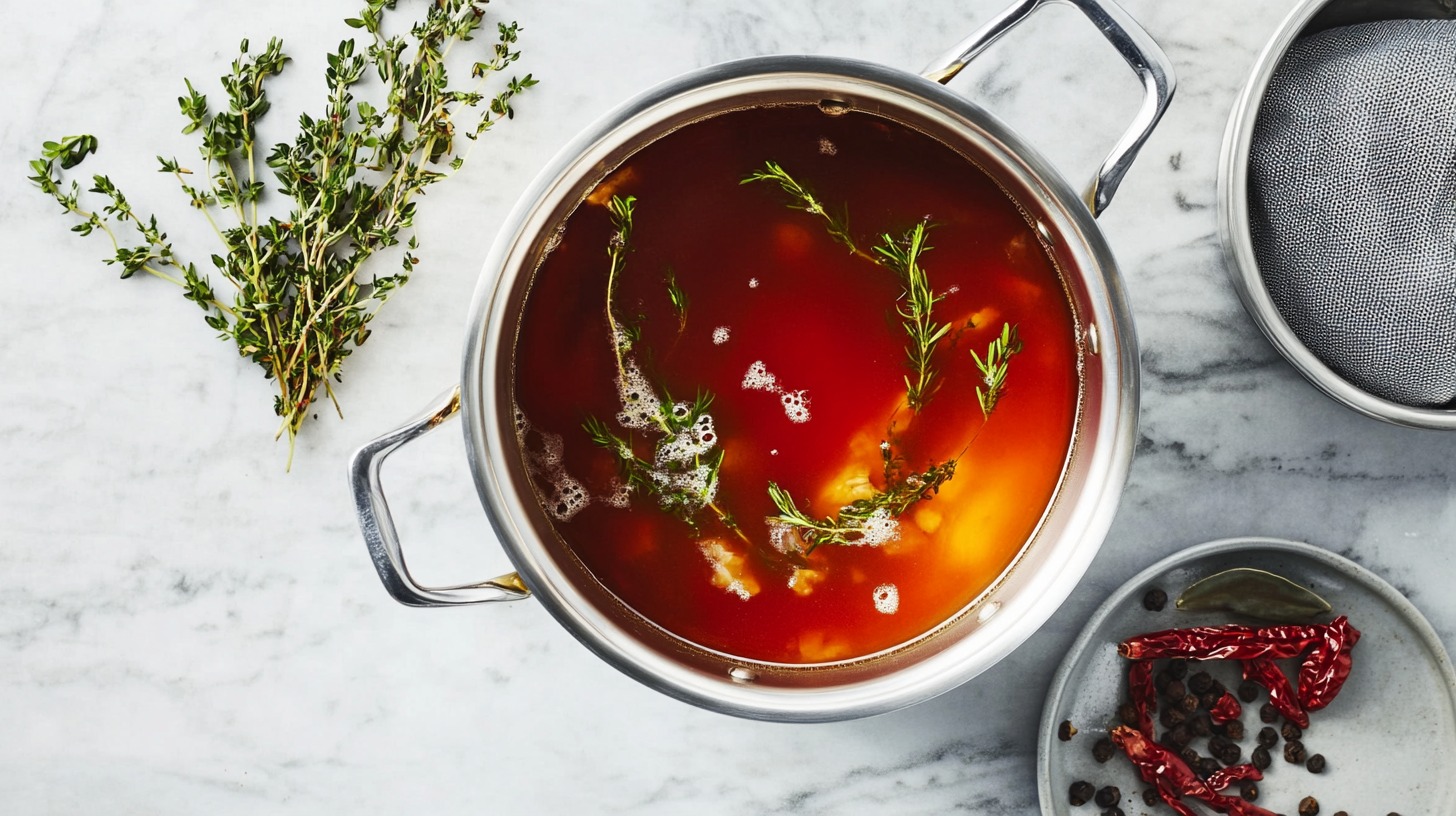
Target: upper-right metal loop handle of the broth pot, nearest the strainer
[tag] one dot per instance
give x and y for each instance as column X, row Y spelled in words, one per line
column 1132, row 42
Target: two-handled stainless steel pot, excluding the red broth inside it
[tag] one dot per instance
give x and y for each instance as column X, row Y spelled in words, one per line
column 1072, row 528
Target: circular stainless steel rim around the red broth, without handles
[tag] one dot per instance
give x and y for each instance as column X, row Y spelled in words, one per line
column 1083, row 517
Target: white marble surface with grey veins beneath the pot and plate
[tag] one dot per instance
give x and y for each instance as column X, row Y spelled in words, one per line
column 187, row 629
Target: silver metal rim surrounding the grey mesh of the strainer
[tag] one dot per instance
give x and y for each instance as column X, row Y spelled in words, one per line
column 1305, row 20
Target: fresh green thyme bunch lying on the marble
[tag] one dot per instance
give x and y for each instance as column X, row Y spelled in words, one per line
column 301, row 301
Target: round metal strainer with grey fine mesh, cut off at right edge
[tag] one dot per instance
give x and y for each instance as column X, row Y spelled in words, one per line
column 1339, row 203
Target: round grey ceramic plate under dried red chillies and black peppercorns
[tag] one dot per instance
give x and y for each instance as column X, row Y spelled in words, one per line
column 1390, row 737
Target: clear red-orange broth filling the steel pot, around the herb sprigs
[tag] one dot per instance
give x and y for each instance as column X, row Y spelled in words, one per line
column 768, row 289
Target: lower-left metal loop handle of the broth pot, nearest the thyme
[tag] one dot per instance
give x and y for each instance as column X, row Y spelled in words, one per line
column 379, row 525
